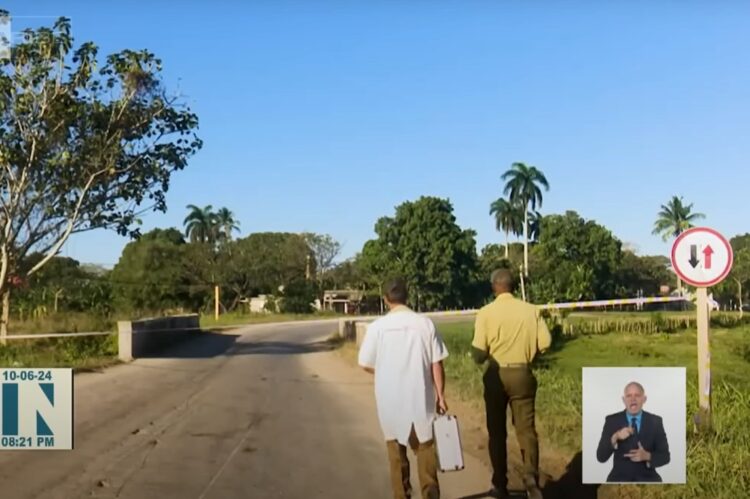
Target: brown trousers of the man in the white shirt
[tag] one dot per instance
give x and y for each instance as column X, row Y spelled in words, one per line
column 426, row 464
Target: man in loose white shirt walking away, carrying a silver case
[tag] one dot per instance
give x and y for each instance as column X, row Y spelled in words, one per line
column 406, row 354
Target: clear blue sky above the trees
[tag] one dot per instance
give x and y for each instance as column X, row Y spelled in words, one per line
column 323, row 116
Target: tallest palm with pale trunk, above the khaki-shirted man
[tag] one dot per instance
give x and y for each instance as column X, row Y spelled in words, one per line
column 523, row 184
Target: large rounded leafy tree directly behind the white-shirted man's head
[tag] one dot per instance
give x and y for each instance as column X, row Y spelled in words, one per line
column 424, row 243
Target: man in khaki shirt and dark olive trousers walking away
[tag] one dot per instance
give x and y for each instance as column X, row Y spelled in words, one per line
column 509, row 333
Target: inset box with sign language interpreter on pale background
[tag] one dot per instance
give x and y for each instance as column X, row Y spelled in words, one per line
column 634, row 425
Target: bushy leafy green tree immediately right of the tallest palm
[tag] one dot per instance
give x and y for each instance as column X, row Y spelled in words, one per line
column 575, row 259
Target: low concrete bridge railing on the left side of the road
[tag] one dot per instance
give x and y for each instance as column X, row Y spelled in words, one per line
column 142, row 337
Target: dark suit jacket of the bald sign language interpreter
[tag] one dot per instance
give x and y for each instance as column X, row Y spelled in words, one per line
column 652, row 438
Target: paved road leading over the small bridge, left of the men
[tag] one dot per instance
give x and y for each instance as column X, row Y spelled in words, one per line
column 265, row 412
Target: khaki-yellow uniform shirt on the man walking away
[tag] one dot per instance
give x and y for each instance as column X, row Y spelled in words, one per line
column 511, row 331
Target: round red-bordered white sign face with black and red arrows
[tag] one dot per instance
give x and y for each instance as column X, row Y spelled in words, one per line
column 702, row 257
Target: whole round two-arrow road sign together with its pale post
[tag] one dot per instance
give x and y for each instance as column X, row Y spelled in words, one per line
column 702, row 258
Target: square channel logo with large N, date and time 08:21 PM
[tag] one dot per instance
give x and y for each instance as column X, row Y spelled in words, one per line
column 36, row 407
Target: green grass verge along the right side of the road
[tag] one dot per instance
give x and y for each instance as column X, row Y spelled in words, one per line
column 718, row 464
